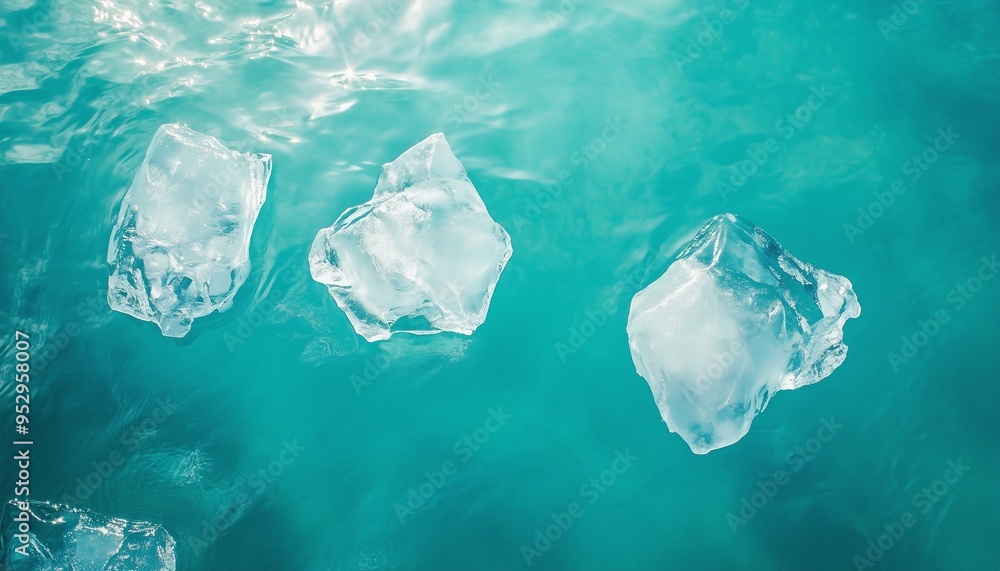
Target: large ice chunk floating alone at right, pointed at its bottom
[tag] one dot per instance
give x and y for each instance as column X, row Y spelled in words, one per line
column 734, row 319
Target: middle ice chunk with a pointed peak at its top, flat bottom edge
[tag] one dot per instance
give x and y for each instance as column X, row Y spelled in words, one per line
column 422, row 256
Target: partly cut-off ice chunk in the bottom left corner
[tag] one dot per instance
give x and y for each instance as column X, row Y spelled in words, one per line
column 64, row 538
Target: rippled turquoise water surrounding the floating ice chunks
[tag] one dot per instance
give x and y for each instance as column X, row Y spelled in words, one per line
column 601, row 137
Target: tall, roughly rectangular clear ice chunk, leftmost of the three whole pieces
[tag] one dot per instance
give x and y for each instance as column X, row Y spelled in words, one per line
column 180, row 246
